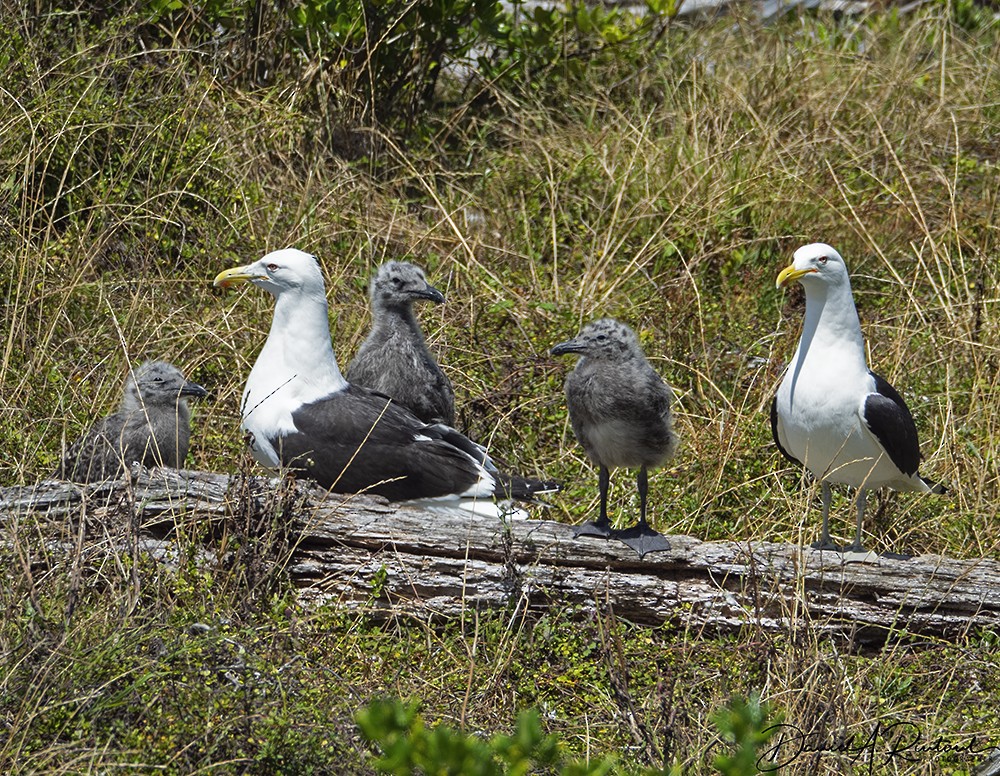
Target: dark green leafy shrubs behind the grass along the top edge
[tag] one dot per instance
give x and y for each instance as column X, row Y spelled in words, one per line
column 382, row 61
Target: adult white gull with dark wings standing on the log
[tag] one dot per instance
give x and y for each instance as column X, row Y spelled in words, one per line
column 832, row 414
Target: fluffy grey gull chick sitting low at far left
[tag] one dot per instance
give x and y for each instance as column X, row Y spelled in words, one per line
column 152, row 426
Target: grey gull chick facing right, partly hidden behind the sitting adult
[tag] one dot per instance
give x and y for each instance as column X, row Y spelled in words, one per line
column 394, row 359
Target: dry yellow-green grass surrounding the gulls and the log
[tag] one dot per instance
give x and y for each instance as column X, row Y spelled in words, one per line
column 669, row 196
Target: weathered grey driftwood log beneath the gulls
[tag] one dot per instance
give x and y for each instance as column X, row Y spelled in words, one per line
column 433, row 562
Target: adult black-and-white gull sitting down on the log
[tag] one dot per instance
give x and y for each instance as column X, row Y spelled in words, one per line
column 301, row 414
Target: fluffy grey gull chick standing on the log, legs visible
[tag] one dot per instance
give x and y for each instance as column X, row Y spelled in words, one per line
column 620, row 411
